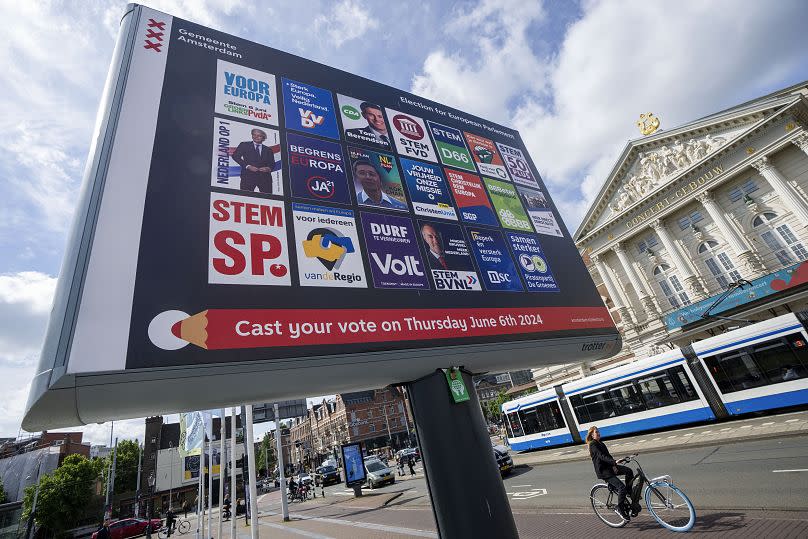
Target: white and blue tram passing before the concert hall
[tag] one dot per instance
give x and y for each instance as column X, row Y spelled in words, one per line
column 759, row 367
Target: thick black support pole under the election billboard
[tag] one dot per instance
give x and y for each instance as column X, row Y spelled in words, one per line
column 464, row 504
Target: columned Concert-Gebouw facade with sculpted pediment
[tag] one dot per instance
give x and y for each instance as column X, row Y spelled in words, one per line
column 709, row 218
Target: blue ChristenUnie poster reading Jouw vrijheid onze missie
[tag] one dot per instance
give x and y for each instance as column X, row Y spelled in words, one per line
column 429, row 192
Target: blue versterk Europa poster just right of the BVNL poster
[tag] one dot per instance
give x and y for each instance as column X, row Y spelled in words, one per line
column 496, row 266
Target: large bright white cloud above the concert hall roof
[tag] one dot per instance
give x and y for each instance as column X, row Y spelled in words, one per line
column 619, row 59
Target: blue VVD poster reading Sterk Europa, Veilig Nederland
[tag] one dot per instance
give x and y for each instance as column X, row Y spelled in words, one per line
column 309, row 109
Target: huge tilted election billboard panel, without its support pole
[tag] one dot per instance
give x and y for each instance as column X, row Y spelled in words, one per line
column 256, row 227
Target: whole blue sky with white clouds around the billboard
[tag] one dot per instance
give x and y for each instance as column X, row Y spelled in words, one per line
column 572, row 77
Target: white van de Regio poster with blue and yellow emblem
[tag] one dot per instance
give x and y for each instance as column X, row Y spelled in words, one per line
column 328, row 249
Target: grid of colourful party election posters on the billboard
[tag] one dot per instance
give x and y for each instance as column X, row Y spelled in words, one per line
column 435, row 207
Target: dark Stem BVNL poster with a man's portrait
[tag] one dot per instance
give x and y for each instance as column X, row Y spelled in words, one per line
column 448, row 256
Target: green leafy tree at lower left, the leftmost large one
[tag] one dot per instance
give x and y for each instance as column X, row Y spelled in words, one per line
column 63, row 494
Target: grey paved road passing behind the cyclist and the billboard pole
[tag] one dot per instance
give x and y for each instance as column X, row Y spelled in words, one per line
column 746, row 489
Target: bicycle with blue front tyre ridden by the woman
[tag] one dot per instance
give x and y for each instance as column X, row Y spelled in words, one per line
column 666, row 502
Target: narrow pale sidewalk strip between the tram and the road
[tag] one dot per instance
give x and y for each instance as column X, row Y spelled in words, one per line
column 774, row 426
